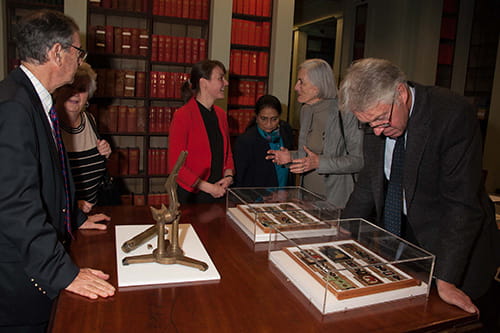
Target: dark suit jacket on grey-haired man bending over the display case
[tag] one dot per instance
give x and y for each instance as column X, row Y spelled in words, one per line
column 447, row 208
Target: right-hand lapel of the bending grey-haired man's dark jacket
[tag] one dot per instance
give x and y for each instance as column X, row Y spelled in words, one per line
column 418, row 135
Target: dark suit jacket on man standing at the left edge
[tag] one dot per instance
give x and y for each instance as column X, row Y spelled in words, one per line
column 34, row 265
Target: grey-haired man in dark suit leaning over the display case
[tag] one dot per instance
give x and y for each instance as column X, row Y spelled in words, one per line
column 422, row 178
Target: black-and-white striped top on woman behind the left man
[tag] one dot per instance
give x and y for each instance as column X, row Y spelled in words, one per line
column 87, row 165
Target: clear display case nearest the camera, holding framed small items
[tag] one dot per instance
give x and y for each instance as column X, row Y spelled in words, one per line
column 355, row 264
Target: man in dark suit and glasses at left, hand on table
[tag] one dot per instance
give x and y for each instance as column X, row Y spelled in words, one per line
column 37, row 206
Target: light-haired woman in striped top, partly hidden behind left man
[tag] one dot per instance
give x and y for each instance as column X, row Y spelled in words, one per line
column 87, row 154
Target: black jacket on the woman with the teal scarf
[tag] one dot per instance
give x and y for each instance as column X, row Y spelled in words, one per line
column 252, row 168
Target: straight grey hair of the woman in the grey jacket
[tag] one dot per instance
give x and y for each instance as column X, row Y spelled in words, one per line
column 320, row 74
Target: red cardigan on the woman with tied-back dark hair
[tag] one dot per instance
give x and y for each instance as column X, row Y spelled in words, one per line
column 187, row 132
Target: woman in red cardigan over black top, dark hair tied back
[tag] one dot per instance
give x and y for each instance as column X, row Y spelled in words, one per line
column 201, row 129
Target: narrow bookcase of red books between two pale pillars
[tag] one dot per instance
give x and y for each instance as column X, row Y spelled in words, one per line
column 249, row 60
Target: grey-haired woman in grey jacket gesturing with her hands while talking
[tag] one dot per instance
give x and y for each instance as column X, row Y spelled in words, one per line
column 330, row 141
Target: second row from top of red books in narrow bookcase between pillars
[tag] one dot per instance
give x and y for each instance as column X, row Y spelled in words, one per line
column 253, row 33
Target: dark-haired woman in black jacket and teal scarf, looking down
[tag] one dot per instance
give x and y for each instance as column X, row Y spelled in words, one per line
column 266, row 132
